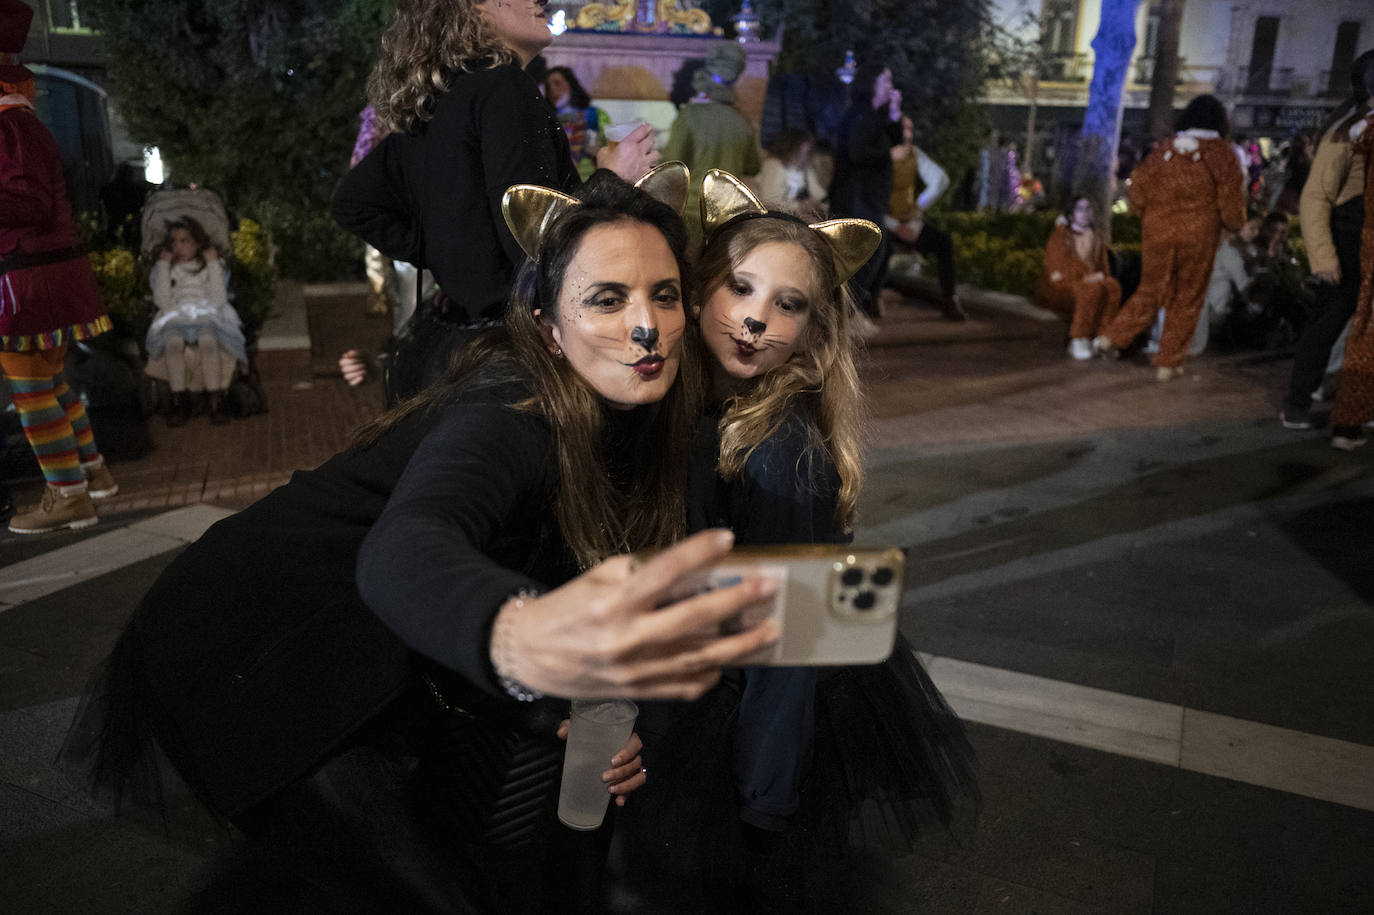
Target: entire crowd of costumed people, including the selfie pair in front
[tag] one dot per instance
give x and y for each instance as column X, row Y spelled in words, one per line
column 627, row 362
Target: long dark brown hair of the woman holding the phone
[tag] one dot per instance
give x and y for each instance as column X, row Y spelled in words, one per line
column 598, row 517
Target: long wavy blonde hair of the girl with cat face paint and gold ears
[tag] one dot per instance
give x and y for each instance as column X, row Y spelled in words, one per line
column 821, row 379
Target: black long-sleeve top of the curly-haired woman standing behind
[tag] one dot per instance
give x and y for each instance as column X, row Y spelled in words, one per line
column 432, row 197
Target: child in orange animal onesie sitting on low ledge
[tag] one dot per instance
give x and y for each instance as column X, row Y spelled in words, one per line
column 1077, row 281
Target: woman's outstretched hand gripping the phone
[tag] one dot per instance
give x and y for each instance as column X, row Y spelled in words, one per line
column 604, row 633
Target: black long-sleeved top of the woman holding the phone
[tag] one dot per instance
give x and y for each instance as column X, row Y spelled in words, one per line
column 256, row 657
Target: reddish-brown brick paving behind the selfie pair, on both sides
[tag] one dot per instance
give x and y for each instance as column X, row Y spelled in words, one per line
column 1000, row 377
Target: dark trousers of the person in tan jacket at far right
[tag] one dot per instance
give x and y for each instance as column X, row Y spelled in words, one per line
column 1335, row 307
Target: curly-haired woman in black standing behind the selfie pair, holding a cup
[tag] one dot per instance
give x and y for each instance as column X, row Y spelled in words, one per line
column 466, row 123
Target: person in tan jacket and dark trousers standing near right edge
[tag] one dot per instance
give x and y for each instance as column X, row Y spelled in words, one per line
column 1332, row 212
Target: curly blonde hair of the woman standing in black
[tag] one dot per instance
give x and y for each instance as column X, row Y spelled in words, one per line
column 427, row 43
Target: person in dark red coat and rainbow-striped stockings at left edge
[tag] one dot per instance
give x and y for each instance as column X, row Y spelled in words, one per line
column 49, row 299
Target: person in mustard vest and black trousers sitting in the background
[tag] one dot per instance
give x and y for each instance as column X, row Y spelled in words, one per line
column 906, row 215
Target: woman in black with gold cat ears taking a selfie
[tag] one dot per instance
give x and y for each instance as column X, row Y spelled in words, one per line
column 368, row 727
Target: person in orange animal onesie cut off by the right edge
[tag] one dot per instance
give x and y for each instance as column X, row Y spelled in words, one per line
column 1355, row 394
